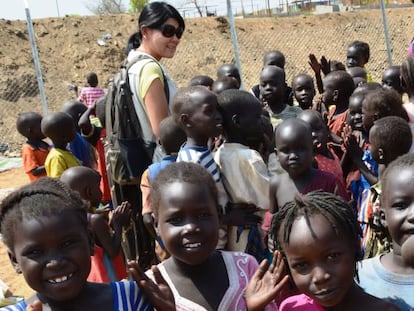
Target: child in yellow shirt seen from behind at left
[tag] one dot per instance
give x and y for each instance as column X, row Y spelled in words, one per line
column 60, row 128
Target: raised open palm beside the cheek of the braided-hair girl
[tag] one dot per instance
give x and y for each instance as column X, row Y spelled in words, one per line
column 267, row 283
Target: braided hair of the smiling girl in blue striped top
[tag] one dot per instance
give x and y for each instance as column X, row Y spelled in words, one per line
column 46, row 196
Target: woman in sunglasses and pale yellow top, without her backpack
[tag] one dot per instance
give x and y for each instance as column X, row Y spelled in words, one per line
column 160, row 28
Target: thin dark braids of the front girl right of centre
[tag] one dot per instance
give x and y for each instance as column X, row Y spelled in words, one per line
column 337, row 212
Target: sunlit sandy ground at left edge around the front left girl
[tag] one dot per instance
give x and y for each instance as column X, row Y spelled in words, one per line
column 12, row 179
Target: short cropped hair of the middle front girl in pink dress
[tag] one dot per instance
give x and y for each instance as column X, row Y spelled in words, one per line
column 182, row 172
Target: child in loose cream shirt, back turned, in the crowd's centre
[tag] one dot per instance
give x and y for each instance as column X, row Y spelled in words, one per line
column 243, row 171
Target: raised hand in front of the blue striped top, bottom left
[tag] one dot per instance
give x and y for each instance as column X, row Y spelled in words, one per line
column 158, row 292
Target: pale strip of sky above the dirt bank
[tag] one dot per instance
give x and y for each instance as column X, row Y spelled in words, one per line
column 15, row 9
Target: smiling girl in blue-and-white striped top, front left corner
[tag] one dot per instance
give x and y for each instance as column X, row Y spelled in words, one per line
column 45, row 228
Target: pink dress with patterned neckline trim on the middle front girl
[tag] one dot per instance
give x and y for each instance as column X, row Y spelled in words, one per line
column 240, row 268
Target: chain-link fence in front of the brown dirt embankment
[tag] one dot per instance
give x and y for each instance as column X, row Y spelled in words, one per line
column 205, row 46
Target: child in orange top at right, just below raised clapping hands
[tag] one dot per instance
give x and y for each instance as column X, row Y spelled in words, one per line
column 338, row 87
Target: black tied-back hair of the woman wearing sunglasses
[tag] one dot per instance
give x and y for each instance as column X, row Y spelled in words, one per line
column 153, row 15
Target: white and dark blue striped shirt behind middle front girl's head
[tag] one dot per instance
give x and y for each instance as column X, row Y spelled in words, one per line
column 200, row 155
